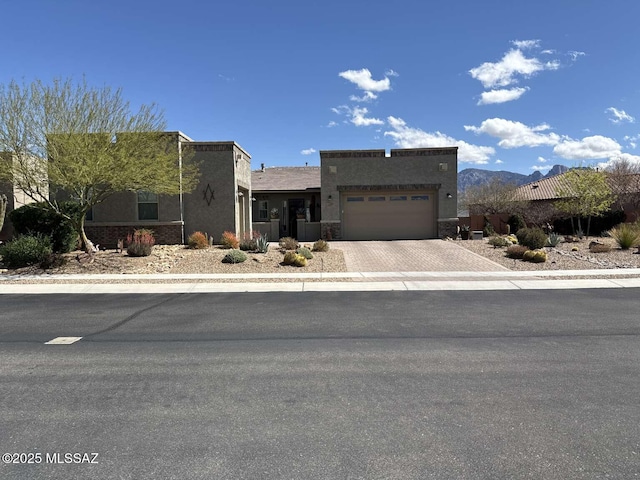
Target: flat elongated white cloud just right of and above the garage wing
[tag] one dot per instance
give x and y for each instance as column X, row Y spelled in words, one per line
column 515, row 134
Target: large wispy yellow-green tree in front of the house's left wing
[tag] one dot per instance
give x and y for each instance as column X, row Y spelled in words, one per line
column 68, row 140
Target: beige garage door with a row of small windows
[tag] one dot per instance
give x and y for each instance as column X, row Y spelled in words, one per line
column 388, row 215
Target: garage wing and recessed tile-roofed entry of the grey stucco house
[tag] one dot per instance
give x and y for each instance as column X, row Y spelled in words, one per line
column 361, row 195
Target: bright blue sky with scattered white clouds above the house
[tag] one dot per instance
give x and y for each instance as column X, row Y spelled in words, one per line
column 516, row 86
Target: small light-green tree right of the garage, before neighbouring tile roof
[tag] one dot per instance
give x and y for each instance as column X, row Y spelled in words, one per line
column 584, row 192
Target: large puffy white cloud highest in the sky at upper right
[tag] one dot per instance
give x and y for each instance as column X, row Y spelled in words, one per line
column 505, row 72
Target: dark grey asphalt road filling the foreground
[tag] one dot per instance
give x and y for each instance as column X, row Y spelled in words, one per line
column 511, row 384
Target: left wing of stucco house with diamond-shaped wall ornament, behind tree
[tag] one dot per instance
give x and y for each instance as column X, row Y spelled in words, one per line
column 220, row 202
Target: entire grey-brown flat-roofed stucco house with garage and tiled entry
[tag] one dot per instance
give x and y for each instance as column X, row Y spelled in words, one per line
column 353, row 195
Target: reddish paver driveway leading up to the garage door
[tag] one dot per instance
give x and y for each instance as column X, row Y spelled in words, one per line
column 412, row 256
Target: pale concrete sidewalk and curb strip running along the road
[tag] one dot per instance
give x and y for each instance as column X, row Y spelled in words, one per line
column 307, row 282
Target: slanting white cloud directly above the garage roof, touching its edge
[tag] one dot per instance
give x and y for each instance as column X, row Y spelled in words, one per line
column 408, row 137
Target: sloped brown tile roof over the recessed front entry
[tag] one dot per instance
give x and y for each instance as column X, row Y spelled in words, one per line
column 285, row 179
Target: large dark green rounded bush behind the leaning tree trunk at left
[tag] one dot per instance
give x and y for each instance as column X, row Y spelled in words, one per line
column 37, row 219
